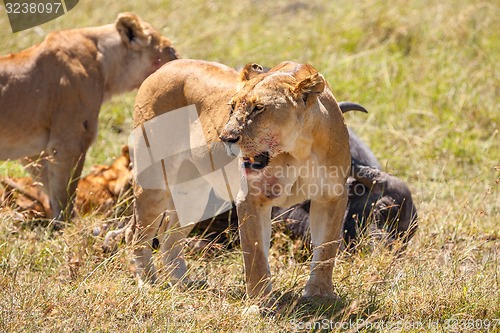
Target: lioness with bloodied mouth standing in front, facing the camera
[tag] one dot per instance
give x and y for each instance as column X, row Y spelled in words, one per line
column 287, row 124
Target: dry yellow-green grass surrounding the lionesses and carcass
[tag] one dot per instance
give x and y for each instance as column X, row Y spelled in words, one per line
column 428, row 73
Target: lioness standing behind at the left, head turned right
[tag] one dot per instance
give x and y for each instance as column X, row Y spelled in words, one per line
column 50, row 95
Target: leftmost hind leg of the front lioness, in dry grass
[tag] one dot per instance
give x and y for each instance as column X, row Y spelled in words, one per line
column 150, row 206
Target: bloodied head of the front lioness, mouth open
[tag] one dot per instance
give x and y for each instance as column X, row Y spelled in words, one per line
column 270, row 110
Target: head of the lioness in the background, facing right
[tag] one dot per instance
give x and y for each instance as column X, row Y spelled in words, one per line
column 145, row 50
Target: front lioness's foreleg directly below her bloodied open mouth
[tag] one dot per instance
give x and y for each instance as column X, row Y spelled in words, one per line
column 255, row 236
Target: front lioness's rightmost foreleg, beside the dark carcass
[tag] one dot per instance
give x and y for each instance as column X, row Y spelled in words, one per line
column 326, row 225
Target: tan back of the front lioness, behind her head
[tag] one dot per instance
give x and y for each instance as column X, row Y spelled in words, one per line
column 185, row 82
